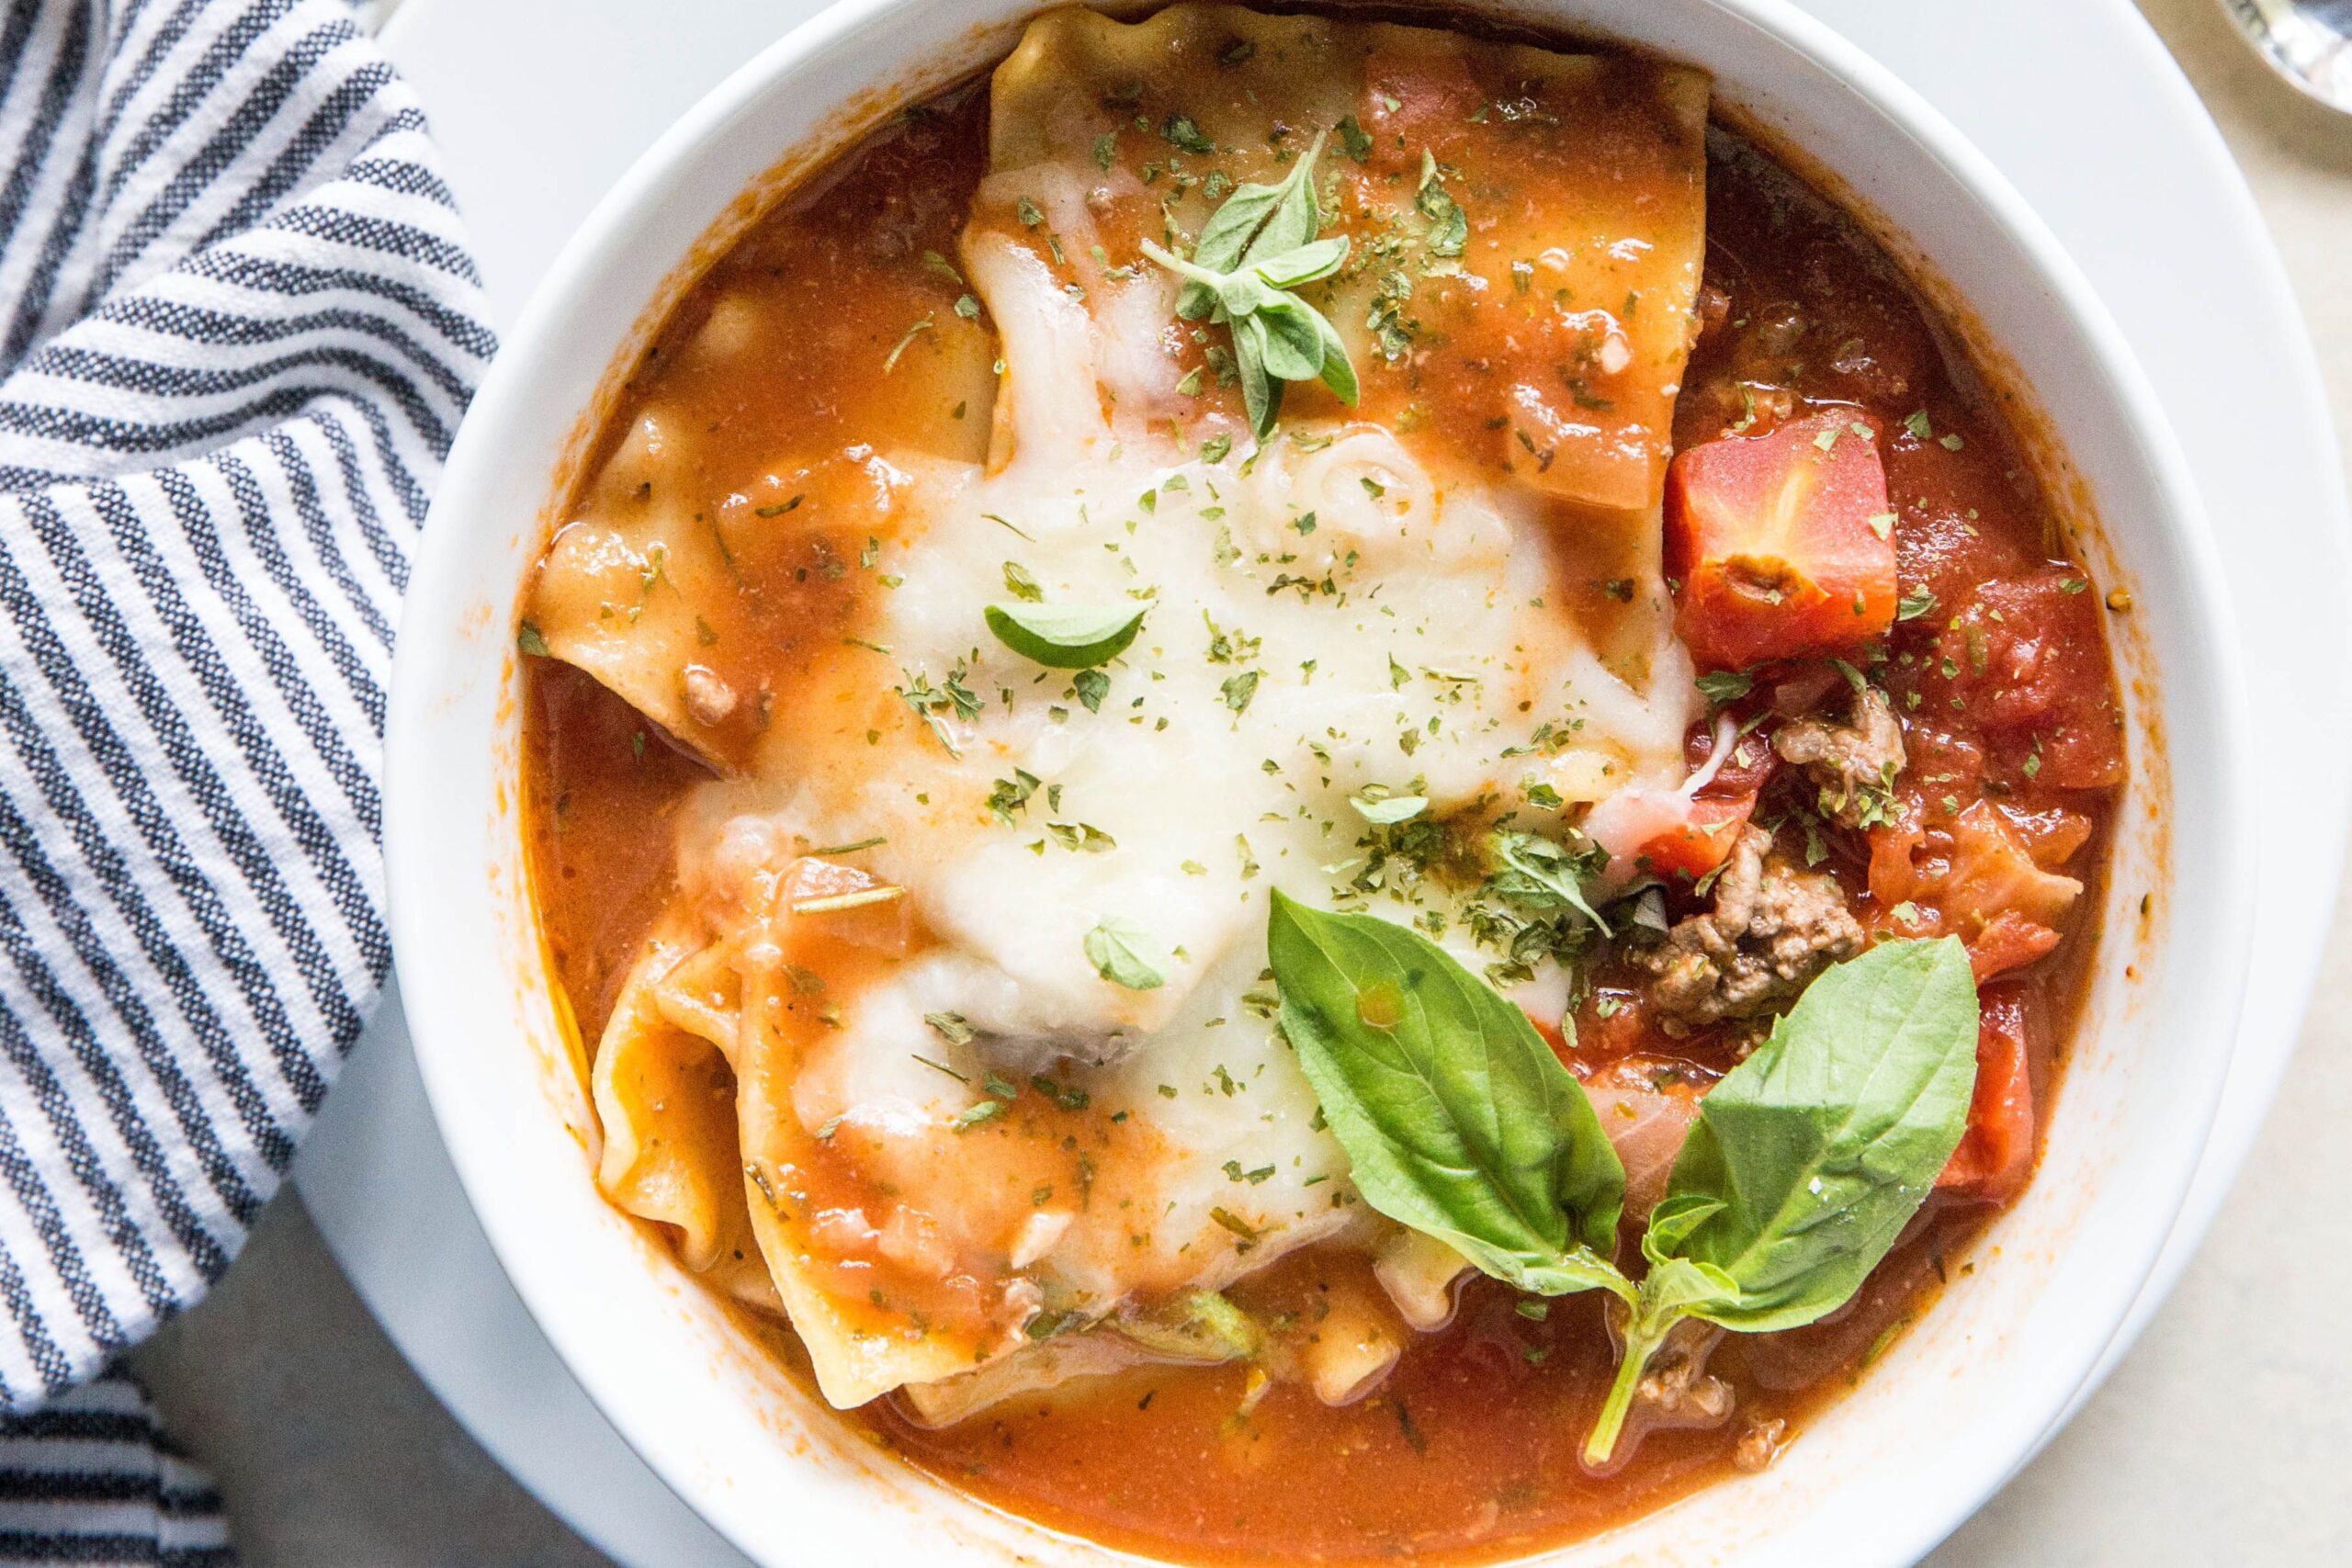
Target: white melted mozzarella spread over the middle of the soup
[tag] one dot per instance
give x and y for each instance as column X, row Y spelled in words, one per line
column 1325, row 615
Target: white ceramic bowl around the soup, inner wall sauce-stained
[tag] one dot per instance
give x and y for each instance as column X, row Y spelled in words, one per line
column 1958, row 1407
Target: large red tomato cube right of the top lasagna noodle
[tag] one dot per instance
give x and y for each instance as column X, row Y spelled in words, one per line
column 1782, row 544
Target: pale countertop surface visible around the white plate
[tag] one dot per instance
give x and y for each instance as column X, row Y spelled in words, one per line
column 2224, row 1438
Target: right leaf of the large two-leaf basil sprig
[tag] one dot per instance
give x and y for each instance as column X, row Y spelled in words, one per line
column 1824, row 1144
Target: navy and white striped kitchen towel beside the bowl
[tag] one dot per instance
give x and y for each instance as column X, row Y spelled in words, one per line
column 239, row 326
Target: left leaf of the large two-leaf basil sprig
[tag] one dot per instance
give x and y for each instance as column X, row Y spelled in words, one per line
column 1455, row 1113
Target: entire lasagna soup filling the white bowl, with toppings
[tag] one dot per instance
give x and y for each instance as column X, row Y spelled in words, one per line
column 1316, row 789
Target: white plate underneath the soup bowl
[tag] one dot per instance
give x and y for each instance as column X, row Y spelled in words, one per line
column 540, row 105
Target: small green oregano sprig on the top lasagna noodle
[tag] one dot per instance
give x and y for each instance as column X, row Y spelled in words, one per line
column 1243, row 274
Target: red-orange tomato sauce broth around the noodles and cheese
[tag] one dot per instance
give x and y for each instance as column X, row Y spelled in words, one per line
column 1469, row 1452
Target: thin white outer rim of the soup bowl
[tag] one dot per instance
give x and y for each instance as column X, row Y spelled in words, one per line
column 2184, row 523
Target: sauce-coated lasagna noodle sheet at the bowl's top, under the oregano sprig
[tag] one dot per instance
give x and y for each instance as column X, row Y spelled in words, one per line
column 1546, row 337
